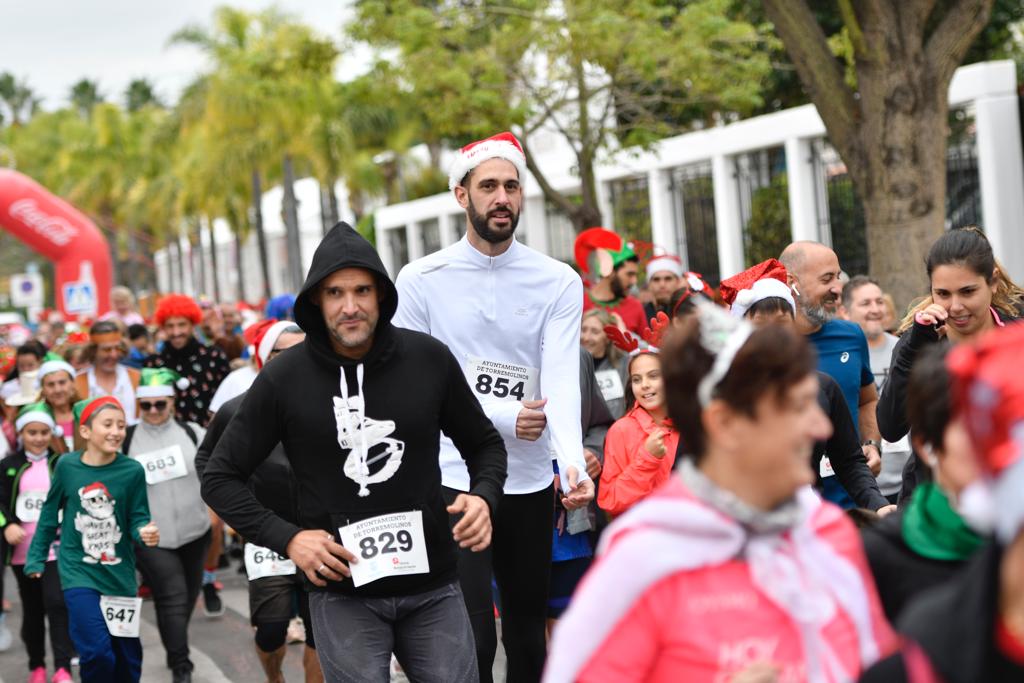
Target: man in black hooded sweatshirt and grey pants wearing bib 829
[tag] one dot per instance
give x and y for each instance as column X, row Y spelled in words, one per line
column 360, row 407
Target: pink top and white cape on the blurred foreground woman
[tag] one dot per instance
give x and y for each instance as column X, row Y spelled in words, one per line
column 682, row 593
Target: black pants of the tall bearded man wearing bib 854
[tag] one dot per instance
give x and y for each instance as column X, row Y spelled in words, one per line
column 520, row 559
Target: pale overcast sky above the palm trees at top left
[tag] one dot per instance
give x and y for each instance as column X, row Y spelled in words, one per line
column 54, row 44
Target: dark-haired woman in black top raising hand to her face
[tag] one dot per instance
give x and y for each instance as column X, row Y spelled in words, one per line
column 970, row 296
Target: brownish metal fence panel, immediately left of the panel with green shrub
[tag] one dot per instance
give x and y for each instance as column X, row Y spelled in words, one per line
column 694, row 202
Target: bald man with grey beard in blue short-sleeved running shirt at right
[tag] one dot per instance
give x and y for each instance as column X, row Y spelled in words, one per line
column 815, row 278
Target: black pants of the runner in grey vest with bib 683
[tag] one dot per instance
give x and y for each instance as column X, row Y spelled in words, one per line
column 176, row 577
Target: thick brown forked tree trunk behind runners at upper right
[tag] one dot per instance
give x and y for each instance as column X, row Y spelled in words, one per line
column 892, row 133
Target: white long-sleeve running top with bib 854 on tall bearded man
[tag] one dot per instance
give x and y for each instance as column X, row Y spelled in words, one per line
column 514, row 322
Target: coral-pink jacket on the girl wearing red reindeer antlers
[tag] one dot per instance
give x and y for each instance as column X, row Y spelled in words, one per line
column 630, row 472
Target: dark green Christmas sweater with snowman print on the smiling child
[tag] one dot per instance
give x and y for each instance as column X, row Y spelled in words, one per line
column 104, row 508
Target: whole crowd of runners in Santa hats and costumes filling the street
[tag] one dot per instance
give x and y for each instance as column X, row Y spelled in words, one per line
column 645, row 476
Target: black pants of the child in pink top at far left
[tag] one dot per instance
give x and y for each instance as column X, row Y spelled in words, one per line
column 42, row 601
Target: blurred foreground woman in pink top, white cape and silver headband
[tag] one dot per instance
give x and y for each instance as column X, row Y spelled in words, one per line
column 735, row 570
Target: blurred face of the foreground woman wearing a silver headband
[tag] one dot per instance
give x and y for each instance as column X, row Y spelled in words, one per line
column 773, row 449
